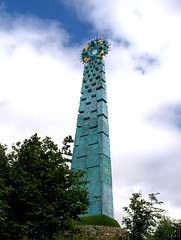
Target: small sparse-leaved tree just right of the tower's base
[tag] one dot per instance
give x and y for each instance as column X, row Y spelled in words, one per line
column 142, row 216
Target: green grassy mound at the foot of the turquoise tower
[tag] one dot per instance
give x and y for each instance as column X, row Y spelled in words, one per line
column 101, row 220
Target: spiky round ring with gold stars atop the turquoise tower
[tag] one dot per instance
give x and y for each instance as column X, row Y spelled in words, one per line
column 97, row 48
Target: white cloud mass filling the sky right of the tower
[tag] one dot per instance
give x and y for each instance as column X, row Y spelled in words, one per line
column 145, row 147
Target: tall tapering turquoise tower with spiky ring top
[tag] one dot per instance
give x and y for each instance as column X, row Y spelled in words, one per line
column 92, row 146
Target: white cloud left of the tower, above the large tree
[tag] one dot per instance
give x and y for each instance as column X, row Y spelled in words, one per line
column 38, row 80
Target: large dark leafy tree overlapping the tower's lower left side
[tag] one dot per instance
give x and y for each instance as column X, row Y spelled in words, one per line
column 39, row 193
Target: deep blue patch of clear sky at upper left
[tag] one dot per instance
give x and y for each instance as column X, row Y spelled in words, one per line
column 52, row 10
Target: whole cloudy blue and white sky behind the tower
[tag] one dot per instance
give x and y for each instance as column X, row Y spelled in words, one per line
column 41, row 77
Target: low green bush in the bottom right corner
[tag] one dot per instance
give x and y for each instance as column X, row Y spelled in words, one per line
column 168, row 229
